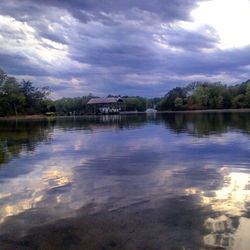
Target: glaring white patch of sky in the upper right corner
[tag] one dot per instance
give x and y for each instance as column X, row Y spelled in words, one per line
column 229, row 18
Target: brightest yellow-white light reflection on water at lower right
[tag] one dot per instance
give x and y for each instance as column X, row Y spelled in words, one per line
column 229, row 226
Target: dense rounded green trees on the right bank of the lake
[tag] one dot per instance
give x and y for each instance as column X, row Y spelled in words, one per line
column 202, row 96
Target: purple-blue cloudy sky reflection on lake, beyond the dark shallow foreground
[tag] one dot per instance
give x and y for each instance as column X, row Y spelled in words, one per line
column 115, row 164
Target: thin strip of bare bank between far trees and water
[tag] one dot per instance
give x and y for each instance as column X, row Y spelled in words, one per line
column 36, row 117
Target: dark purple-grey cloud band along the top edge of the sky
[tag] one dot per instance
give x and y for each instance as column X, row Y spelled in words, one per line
column 167, row 10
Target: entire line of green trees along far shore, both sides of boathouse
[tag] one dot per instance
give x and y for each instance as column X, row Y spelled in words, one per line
column 18, row 98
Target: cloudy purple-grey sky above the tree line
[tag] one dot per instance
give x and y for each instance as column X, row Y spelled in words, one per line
column 127, row 47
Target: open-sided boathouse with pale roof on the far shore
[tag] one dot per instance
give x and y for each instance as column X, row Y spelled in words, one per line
column 109, row 105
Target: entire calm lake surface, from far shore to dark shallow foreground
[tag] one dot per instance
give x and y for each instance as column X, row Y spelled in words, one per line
column 174, row 181
